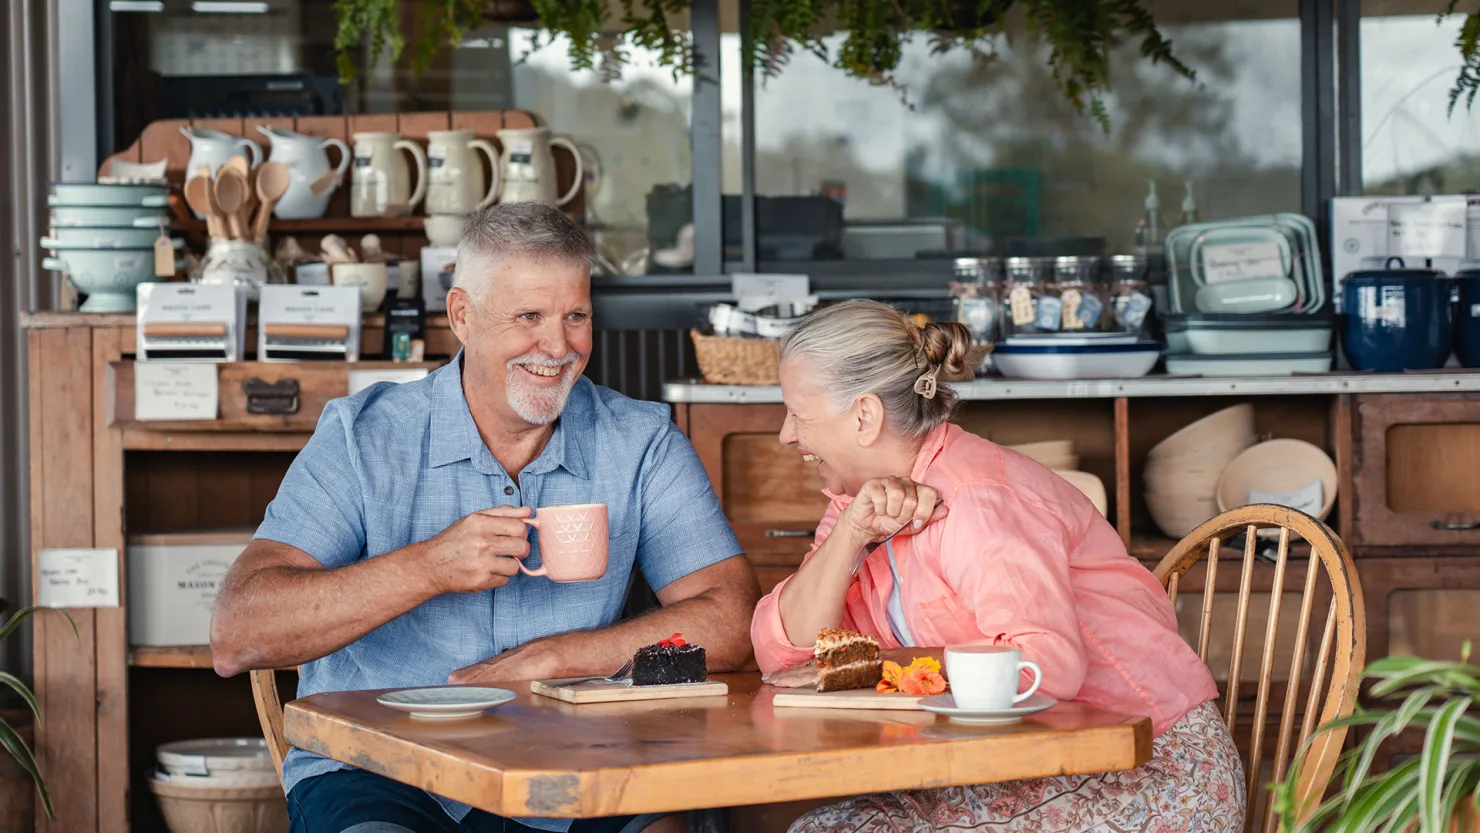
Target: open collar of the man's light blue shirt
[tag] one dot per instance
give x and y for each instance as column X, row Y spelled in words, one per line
column 455, row 434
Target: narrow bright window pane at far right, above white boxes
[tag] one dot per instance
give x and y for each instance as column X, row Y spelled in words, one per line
column 1410, row 141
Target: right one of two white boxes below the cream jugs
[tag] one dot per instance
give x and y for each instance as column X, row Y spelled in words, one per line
column 309, row 323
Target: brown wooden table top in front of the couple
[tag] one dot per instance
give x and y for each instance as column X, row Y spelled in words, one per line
column 538, row 757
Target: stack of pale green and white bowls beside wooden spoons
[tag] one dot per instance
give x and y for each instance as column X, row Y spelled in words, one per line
column 103, row 239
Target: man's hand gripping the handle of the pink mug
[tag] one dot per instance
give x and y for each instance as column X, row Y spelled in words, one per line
column 479, row 553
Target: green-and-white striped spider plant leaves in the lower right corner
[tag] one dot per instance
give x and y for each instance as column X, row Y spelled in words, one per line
column 1433, row 792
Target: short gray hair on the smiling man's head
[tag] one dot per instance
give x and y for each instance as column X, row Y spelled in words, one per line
column 531, row 230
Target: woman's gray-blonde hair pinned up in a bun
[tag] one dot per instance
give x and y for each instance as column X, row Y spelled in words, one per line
column 865, row 347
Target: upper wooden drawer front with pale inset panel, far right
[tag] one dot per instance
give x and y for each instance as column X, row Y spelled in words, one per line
column 1414, row 471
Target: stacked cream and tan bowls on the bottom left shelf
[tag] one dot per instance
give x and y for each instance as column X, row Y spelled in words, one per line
column 220, row 786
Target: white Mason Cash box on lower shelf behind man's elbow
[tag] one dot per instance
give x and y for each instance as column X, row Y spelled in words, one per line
column 174, row 581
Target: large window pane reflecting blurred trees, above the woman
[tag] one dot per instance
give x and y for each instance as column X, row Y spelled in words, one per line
column 992, row 152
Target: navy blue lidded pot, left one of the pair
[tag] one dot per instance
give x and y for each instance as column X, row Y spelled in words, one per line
column 1396, row 320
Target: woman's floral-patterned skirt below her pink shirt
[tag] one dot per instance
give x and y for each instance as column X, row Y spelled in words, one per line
column 1194, row 783
